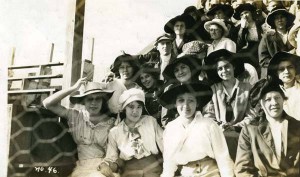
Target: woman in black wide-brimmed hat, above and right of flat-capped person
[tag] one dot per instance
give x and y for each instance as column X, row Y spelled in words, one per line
column 178, row 27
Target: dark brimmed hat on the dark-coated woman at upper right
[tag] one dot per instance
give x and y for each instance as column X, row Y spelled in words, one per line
column 271, row 17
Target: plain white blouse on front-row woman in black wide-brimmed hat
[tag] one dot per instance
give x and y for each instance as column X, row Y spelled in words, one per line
column 201, row 138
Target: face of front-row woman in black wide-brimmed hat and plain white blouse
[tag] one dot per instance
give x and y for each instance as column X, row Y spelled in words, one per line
column 186, row 105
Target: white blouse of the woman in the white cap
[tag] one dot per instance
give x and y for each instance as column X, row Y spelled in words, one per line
column 119, row 144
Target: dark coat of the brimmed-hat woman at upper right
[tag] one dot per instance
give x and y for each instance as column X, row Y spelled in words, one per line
column 270, row 44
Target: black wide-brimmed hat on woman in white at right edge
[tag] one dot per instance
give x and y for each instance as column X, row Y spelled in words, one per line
column 280, row 56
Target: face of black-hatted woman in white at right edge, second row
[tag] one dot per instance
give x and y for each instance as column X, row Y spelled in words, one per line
column 286, row 72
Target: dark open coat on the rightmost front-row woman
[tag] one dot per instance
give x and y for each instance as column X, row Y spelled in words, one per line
column 256, row 151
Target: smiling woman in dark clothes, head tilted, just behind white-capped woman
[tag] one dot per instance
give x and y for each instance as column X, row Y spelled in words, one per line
column 149, row 80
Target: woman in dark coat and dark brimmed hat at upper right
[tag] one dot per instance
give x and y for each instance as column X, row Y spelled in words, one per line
column 274, row 41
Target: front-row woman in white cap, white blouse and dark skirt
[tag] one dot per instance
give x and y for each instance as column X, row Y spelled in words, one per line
column 136, row 140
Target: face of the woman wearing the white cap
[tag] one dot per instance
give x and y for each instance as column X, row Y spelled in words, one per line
column 133, row 112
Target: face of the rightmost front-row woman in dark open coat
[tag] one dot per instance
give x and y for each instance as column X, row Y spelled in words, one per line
column 272, row 104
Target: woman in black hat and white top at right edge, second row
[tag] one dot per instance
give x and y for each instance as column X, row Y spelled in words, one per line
column 286, row 67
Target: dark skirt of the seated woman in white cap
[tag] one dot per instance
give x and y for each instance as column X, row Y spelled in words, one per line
column 150, row 166
